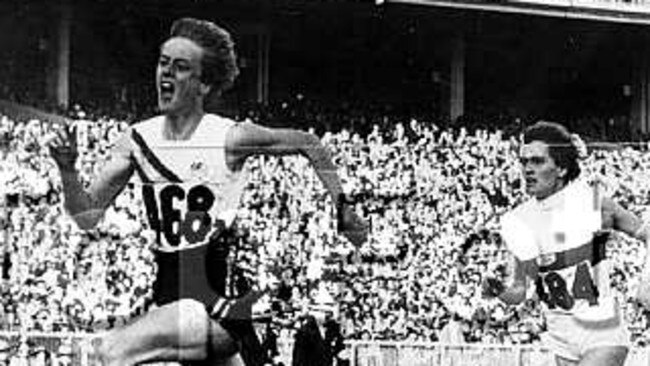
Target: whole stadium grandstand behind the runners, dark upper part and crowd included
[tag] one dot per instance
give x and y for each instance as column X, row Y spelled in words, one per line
column 421, row 102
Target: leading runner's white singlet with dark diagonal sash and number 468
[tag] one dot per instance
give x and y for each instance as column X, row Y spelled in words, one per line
column 188, row 189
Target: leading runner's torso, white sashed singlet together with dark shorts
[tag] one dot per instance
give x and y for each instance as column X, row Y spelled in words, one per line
column 191, row 197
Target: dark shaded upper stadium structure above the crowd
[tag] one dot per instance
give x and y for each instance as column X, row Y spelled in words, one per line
column 449, row 59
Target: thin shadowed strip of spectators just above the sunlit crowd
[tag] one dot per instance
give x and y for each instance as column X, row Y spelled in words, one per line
column 325, row 115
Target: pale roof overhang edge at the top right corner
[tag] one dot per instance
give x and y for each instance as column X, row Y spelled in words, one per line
column 594, row 10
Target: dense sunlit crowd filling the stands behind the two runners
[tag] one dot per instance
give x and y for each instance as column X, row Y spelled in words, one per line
column 427, row 191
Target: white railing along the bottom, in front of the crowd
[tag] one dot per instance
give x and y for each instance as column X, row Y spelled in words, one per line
column 77, row 349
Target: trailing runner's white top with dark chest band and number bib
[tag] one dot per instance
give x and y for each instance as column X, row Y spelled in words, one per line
column 564, row 236
